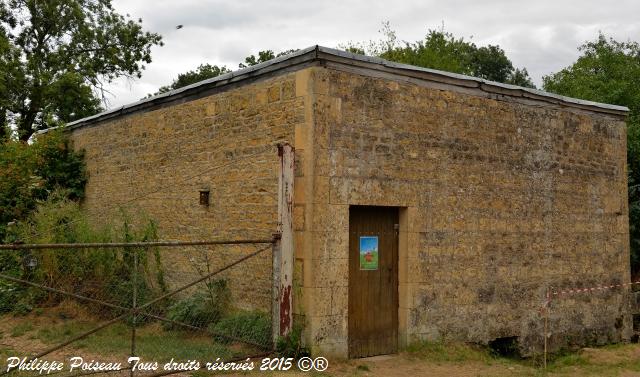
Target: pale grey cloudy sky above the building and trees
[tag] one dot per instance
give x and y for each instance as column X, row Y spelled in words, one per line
column 541, row 35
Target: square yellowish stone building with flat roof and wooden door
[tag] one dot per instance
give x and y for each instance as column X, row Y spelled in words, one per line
column 427, row 204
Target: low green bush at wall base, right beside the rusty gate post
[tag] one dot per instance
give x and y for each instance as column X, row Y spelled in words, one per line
column 252, row 326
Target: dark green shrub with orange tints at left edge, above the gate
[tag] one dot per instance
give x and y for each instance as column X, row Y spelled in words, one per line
column 31, row 172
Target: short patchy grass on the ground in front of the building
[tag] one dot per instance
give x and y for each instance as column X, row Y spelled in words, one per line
column 158, row 344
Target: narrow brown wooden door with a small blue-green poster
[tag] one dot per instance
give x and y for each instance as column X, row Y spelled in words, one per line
column 373, row 281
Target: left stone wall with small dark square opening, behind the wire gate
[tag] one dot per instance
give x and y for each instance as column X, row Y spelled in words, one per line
column 155, row 163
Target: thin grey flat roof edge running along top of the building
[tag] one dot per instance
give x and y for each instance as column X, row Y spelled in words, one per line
column 324, row 53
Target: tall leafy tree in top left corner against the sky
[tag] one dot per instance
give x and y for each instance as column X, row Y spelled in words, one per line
column 57, row 55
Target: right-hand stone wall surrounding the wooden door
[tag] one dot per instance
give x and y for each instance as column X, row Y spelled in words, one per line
column 500, row 200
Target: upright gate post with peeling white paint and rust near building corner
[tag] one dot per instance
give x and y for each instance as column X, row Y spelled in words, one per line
column 285, row 223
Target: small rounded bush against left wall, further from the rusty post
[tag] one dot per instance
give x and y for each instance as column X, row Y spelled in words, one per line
column 204, row 307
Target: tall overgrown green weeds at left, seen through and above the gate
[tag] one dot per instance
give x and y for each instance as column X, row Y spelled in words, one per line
column 104, row 274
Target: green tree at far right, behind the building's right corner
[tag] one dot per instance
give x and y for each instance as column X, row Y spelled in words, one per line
column 609, row 71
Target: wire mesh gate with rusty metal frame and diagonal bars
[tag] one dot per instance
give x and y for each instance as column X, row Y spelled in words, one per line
column 171, row 303
